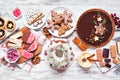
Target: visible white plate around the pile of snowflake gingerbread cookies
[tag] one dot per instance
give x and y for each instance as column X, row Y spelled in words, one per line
column 60, row 10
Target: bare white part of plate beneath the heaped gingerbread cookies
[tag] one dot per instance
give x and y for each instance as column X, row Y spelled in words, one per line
column 67, row 33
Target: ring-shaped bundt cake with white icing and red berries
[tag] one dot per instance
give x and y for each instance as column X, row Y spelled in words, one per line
column 59, row 55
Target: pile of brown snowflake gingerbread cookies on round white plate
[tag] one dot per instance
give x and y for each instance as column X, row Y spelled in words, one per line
column 61, row 22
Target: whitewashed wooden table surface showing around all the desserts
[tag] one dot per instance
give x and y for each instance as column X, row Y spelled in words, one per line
column 74, row 72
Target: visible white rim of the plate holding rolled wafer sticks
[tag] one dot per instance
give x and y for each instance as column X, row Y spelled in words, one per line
column 31, row 26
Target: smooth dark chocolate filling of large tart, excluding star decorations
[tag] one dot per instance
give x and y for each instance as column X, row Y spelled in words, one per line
column 85, row 25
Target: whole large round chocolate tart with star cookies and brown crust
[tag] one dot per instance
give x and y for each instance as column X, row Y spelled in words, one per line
column 95, row 27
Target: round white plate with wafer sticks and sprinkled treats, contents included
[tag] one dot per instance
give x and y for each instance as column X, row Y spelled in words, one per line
column 33, row 18
